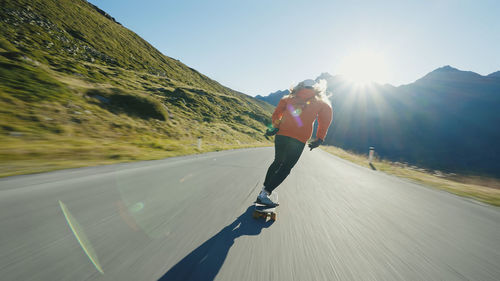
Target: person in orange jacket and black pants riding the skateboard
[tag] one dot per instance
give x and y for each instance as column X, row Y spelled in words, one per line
column 293, row 121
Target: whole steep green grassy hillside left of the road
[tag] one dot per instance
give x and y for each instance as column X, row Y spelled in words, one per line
column 77, row 88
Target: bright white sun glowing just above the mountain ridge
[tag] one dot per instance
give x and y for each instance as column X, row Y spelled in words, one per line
column 363, row 67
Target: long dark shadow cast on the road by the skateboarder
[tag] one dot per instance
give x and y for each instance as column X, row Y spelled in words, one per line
column 204, row 262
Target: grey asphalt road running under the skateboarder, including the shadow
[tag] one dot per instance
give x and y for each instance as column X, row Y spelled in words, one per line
column 189, row 218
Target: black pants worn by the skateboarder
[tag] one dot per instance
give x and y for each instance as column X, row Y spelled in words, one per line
column 287, row 152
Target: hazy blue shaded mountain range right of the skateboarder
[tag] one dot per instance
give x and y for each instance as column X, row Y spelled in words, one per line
column 446, row 120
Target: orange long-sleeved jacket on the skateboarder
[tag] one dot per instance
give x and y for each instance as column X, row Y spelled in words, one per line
column 294, row 116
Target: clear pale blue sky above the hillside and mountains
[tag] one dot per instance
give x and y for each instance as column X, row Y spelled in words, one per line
column 261, row 46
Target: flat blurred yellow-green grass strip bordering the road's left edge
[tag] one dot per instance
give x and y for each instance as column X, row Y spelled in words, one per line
column 19, row 156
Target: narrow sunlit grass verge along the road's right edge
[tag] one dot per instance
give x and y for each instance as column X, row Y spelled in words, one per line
column 479, row 188
